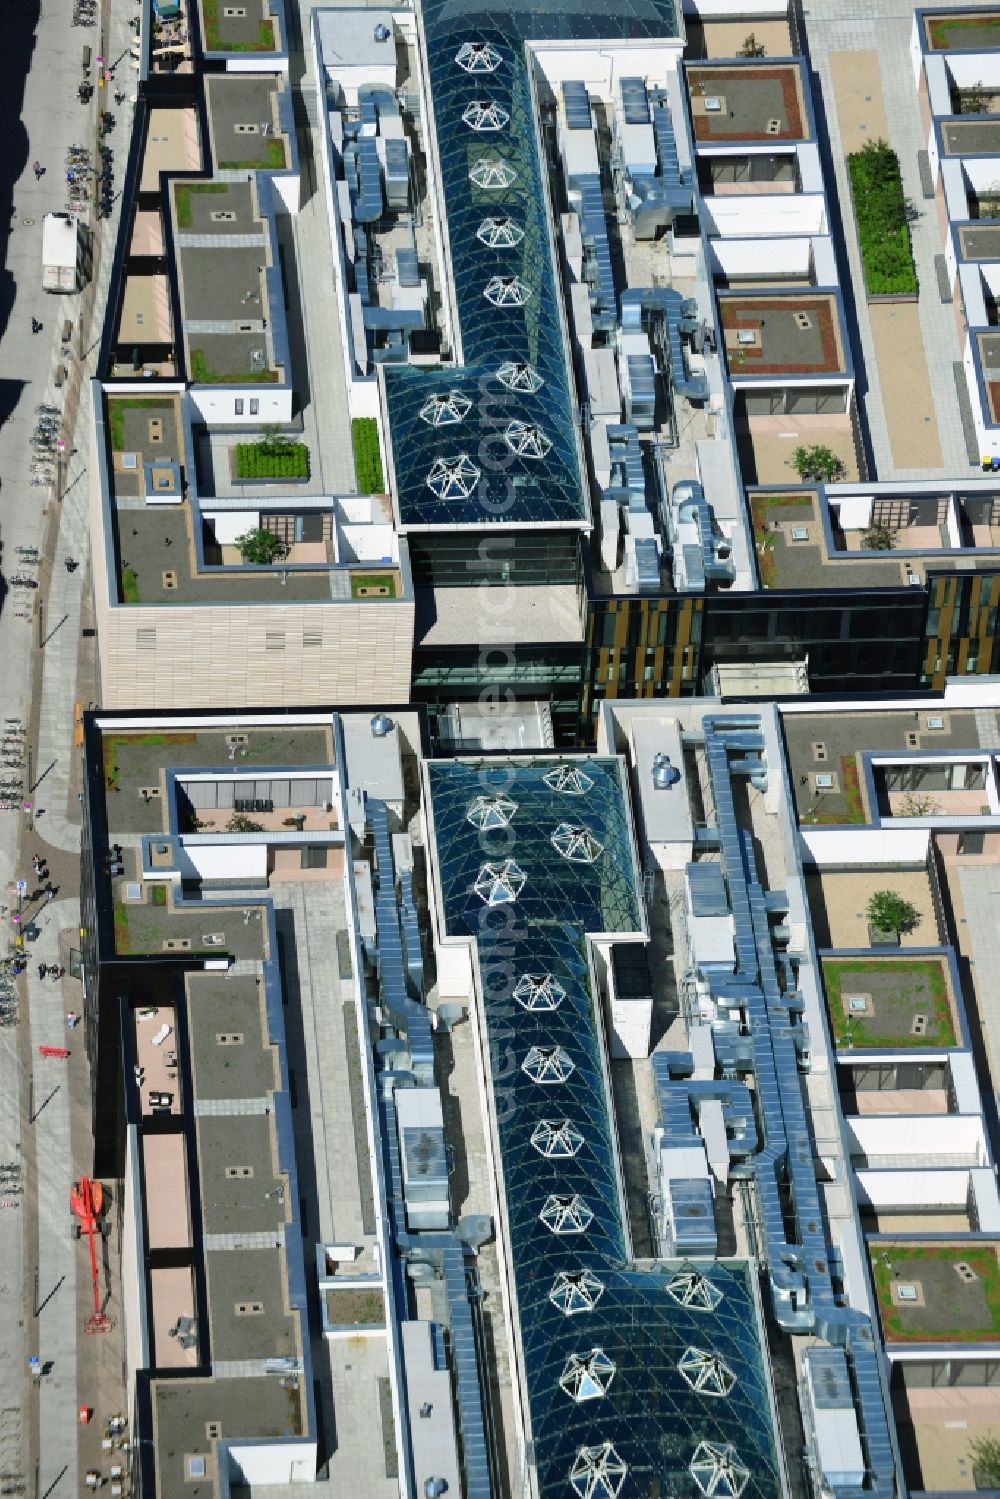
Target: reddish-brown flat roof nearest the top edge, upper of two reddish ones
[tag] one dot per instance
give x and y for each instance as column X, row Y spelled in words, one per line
column 747, row 103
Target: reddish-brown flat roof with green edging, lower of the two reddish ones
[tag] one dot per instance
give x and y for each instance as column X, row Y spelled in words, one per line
column 783, row 335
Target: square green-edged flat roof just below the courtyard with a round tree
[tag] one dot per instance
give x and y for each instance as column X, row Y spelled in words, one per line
column 899, row 993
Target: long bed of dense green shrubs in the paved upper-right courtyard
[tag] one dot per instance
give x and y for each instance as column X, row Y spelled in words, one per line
column 884, row 232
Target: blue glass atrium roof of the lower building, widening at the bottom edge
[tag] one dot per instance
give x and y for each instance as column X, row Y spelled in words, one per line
column 641, row 1381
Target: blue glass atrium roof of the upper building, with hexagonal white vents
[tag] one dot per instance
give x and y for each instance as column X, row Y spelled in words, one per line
column 488, row 154
